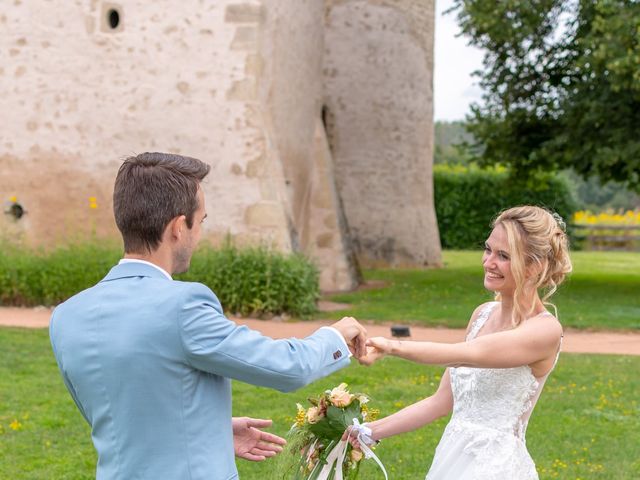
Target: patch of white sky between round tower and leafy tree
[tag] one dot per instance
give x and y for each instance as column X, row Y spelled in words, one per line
column 454, row 87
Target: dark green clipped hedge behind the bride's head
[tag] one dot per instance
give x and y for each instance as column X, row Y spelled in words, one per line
column 467, row 199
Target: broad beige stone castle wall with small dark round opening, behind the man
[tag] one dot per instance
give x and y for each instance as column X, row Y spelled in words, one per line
column 238, row 85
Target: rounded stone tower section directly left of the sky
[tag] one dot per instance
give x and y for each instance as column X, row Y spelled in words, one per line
column 379, row 95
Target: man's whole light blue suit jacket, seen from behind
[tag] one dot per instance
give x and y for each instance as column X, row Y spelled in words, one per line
column 148, row 361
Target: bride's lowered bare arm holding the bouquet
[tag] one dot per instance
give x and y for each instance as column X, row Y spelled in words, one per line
column 416, row 415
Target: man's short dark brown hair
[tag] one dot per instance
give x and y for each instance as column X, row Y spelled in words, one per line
column 151, row 189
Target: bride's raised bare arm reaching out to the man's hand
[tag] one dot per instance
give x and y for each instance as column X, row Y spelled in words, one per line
column 534, row 340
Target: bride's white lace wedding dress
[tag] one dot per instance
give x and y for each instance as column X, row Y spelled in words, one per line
column 485, row 438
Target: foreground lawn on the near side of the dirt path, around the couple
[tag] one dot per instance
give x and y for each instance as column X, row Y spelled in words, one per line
column 586, row 425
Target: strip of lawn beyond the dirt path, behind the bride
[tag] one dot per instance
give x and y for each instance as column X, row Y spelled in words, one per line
column 601, row 293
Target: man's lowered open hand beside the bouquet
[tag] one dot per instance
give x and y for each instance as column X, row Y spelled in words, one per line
column 253, row 444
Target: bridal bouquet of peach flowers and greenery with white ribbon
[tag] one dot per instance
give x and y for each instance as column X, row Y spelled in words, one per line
column 315, row 449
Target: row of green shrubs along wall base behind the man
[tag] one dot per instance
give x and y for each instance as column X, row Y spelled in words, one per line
column 249, row 281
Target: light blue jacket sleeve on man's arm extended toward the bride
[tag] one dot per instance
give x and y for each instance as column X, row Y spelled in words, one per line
column 215, row 344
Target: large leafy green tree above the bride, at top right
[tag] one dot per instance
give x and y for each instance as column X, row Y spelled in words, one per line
column 562, row 85
